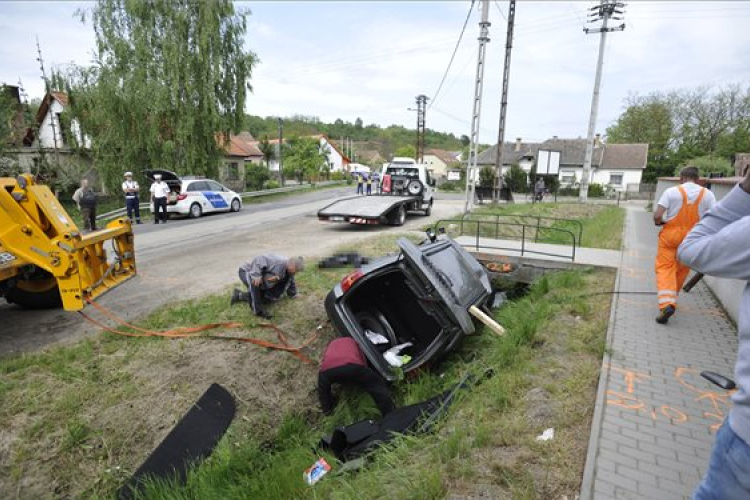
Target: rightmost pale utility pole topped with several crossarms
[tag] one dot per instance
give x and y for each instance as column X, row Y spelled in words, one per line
column 606, row 10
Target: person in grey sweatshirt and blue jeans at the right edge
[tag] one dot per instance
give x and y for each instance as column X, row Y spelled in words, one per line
column 719, row 245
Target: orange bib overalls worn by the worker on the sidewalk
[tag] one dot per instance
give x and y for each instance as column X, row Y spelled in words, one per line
column 670, row 273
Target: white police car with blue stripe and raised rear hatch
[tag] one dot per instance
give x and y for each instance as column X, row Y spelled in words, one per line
column 194, row 196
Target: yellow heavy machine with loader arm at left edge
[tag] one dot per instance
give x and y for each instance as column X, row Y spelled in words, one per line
column 45, row 260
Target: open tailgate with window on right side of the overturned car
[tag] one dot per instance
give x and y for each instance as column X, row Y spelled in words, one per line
column 457, row 276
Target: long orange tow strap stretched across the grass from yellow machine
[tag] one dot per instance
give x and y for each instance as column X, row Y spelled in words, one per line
column 186, row 332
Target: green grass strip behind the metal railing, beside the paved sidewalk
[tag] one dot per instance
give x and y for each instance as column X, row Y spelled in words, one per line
column 597, row 226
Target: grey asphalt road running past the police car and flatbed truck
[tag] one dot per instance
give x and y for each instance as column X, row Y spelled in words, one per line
column 192, row 257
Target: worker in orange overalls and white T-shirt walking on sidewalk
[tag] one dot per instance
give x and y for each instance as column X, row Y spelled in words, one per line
column 679, row 209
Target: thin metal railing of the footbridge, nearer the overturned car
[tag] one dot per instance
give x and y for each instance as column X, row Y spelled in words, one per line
column 525, row 233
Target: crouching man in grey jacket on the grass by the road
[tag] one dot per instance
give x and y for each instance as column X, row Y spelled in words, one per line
column 267, row 277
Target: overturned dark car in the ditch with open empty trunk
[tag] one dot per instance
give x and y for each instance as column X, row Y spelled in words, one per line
column 419, row 297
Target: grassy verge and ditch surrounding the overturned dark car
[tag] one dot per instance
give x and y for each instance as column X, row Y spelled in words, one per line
column 86, row 415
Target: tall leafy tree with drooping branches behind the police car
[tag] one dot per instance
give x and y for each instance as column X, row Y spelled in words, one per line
column 168, row 84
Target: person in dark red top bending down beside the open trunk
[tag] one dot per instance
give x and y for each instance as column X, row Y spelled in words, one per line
column 344, row 363
